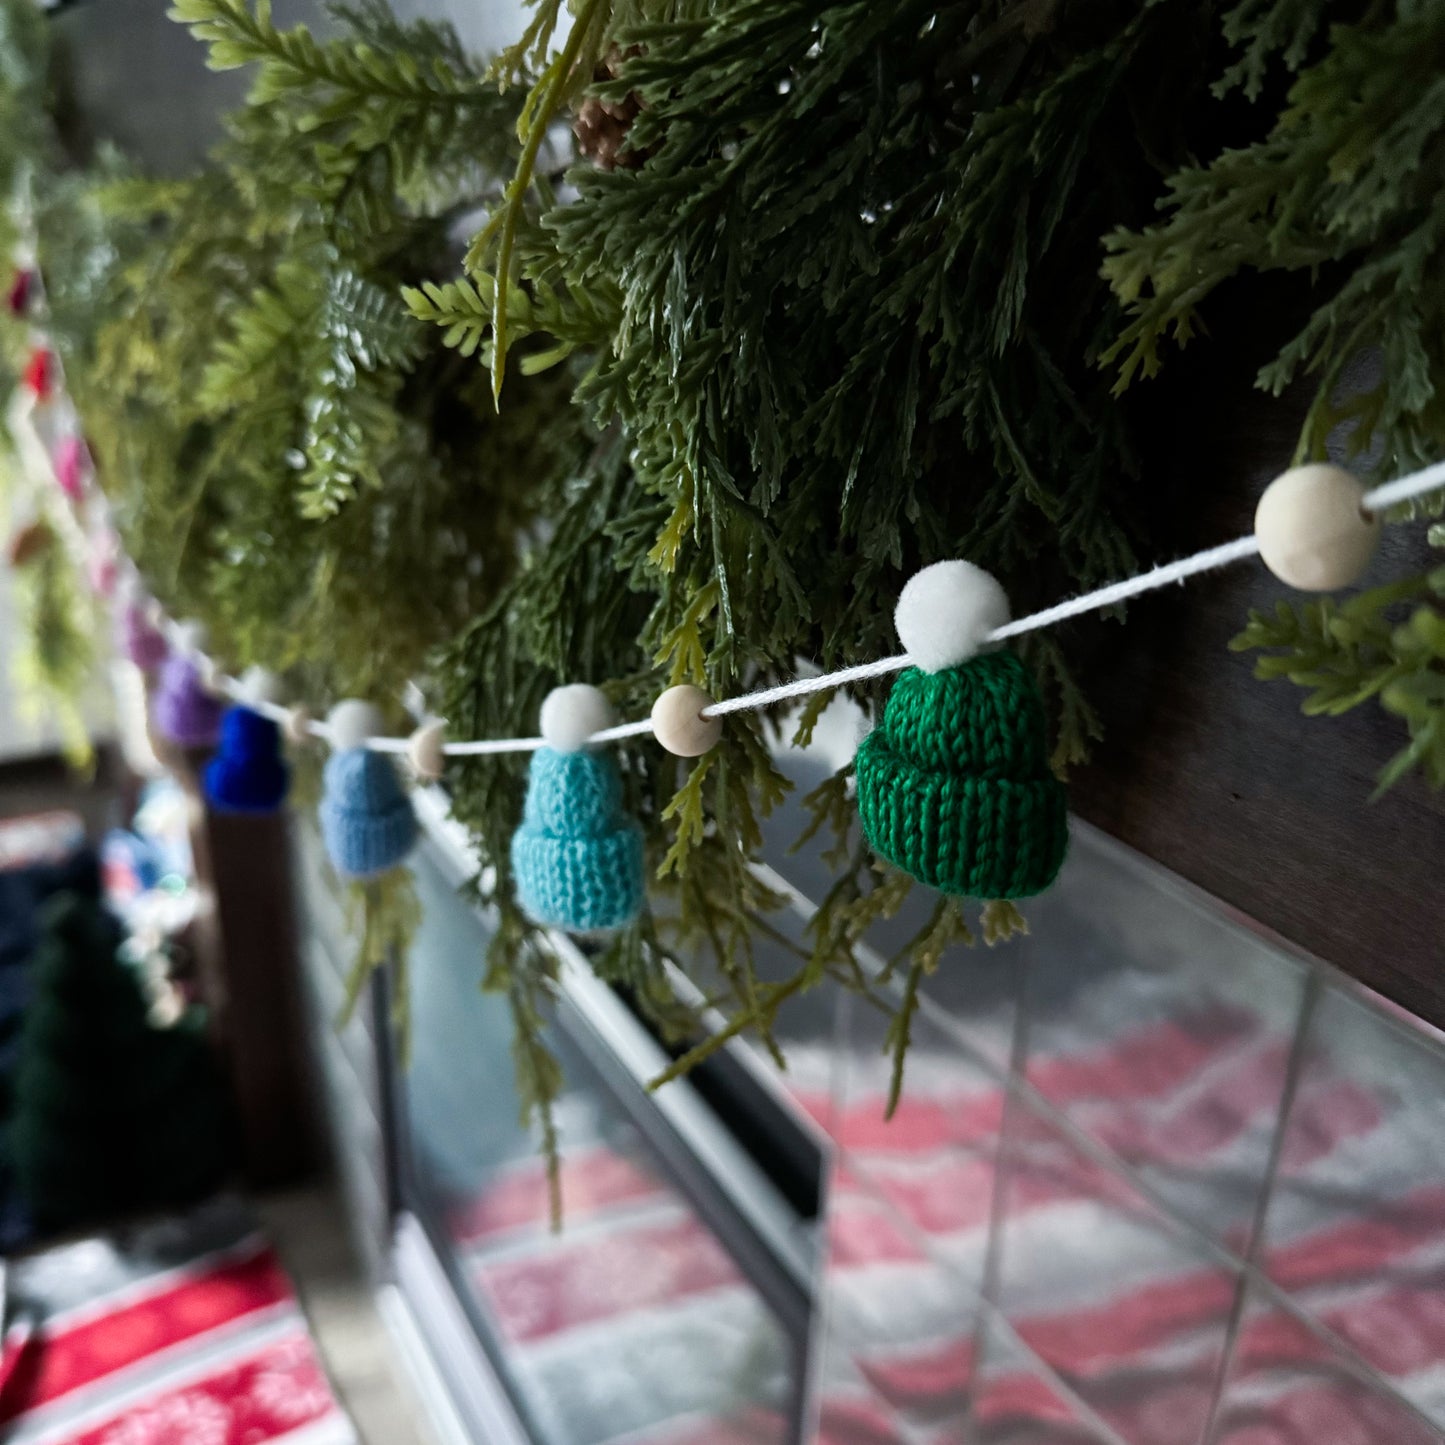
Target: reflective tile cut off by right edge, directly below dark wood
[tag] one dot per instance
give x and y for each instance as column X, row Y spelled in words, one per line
column 1356, row 1229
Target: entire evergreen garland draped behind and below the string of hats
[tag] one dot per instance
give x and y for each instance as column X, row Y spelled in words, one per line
column 878, row 287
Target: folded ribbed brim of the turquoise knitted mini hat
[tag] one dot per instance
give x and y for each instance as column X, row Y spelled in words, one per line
column 579, row 885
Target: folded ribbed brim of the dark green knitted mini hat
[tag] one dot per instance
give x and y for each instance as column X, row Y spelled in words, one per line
column 972, row 837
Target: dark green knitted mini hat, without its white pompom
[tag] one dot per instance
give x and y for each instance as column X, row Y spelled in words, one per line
column 954, row 785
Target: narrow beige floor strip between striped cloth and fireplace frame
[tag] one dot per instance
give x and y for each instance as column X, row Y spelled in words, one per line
column 361, row 1358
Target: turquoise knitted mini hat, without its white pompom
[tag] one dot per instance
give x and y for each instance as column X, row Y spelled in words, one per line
column 577, row 858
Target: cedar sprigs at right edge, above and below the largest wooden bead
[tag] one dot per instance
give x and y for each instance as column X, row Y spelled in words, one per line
column 1345, row 186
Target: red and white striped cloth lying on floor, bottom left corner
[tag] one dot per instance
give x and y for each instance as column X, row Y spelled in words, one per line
column 147, row 1345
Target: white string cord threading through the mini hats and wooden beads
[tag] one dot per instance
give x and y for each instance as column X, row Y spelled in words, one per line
column 1392, row 493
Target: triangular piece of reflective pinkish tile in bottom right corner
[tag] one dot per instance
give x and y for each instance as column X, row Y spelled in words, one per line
column 1287, row 1385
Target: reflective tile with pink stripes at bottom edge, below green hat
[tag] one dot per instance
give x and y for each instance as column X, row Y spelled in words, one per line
column 1129, row 1311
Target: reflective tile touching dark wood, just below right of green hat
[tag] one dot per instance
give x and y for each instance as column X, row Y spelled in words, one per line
column 1163, row 1028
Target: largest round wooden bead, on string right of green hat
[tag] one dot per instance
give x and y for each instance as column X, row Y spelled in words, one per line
column 1313, row 530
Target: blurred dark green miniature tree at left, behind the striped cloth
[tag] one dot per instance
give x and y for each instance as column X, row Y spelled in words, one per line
column 111, row 1113
